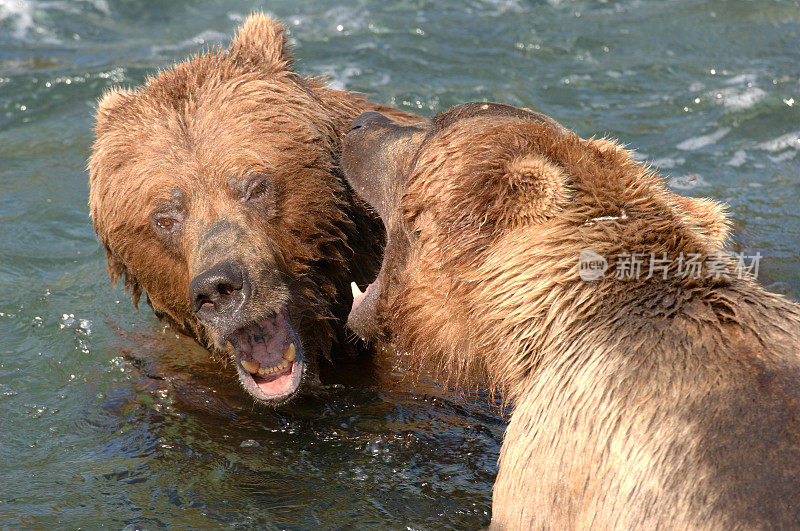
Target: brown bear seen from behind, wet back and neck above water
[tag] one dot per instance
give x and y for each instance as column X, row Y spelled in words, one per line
column 666, row 400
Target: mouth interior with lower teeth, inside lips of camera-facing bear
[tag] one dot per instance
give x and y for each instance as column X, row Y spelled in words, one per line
column 267, row 350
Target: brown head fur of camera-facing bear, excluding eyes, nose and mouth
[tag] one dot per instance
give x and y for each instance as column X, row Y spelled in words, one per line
column 208, row 122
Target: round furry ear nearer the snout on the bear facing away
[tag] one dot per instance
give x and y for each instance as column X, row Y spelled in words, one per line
column 534, row 190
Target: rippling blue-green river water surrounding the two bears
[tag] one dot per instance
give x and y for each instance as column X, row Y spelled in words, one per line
column 107, row 420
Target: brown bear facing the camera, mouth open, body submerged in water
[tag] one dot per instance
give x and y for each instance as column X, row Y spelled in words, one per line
column 215, row 190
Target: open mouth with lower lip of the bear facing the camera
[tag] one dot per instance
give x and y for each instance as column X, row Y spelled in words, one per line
column 269, row 358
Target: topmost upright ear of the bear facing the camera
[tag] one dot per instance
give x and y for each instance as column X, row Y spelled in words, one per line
column 261, row 43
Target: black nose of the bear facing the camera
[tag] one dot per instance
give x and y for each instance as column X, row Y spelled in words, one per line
column 218, row 292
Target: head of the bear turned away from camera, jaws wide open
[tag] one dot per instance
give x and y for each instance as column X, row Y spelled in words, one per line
column 487, row 210
